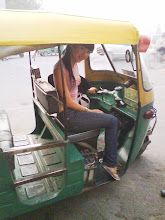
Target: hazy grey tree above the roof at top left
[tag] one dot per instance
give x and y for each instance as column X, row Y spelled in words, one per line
column 24, row 4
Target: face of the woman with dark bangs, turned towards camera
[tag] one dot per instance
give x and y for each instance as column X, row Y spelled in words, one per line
column 79, row 53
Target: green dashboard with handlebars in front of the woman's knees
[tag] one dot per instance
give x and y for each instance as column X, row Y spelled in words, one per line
column 122, row 100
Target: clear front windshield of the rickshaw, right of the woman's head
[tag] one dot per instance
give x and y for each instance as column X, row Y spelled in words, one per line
column 117, row 54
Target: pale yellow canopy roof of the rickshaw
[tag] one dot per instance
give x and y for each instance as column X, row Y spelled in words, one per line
column 36, row 28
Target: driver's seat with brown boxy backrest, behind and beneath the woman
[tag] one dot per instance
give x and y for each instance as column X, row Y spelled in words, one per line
column 48, row 98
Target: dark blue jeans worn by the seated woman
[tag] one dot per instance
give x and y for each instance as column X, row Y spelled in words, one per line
column 78, row 121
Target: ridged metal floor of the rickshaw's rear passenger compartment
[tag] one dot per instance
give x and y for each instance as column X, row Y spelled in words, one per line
column 36, row 162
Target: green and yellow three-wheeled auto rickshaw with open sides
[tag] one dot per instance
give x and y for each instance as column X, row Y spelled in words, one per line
column 48, row 164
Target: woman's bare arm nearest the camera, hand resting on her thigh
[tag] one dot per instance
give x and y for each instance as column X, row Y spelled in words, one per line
column 69, row 102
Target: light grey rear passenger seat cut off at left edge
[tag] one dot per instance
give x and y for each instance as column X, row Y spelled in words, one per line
column 6, row 137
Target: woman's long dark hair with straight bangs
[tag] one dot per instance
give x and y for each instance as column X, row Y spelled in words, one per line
column 66, row 58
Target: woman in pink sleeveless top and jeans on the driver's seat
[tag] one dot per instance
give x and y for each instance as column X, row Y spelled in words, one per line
column 79, row 118
